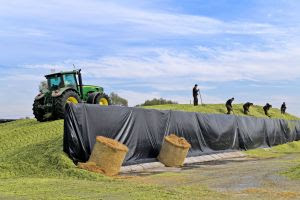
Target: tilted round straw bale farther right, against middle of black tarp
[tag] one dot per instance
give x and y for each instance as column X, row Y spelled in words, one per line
column 173, row 151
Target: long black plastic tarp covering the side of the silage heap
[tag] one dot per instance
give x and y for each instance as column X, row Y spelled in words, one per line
column 143, row 130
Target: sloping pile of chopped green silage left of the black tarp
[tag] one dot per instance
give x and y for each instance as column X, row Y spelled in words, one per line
column 32, row 149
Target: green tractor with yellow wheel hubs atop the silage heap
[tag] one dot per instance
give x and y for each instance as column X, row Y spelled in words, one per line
column 62, row 88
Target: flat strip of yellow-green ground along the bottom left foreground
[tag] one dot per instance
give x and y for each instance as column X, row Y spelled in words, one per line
column 85, row 189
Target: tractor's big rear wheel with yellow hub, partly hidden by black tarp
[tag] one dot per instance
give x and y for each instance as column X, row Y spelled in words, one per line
column 60, row 103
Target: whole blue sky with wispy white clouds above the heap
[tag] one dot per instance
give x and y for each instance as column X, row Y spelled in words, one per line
column 144, row 49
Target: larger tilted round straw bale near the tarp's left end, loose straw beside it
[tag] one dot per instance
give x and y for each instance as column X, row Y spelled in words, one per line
column 108, row 154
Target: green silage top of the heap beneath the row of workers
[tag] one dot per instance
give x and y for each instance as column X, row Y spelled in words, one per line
column 255, row 111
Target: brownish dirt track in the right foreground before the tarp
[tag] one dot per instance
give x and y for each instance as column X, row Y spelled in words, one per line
column 239, row 178
